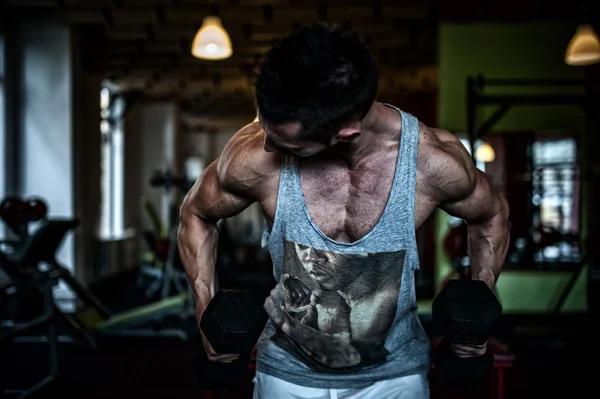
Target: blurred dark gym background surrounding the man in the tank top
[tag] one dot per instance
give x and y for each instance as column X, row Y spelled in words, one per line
column 107, row 119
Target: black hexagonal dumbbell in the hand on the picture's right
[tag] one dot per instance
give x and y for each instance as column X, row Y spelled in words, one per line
column 466, row 310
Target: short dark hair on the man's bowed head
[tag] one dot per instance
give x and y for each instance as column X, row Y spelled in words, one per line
column 321, row 76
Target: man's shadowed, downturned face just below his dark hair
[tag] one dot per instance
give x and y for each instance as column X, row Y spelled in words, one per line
column 290, row 138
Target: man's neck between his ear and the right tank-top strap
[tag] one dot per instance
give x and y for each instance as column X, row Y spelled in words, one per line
column 377, row 130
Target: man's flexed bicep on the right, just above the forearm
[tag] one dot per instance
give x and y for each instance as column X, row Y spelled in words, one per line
column 478, row 203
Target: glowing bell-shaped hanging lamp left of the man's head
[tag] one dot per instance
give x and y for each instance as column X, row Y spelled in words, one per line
column 212, row 41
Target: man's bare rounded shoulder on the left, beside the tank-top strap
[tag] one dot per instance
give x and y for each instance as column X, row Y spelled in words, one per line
column 244, row 159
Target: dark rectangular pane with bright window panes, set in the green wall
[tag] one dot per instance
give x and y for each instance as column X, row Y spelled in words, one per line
column 538, row 174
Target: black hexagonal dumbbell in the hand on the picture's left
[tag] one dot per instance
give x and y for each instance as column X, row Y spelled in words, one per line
column 232, row 323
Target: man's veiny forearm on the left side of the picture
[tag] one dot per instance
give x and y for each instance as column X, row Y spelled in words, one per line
column 197, row 241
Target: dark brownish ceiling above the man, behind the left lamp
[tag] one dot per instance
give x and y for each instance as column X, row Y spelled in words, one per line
column 144, row 45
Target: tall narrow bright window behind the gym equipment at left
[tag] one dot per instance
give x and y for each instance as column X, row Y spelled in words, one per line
column 112, row 169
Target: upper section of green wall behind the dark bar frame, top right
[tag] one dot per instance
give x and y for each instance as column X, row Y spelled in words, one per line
column 527, row 50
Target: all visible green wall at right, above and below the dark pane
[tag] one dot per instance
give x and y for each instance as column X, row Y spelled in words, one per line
column 526, row 50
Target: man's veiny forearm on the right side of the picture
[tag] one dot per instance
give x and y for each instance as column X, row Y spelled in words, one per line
column 488, row 244
